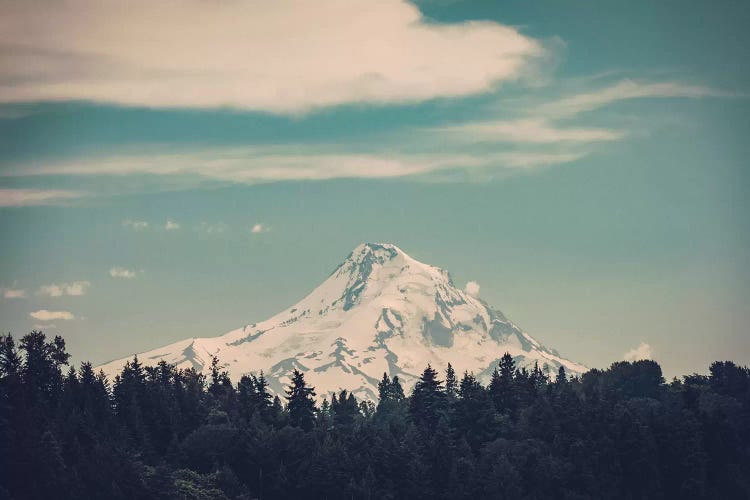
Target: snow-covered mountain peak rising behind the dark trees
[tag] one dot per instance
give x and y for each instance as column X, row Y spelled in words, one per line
column 379, row 311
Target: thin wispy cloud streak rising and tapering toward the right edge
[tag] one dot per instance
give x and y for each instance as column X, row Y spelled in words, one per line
column 624, row 90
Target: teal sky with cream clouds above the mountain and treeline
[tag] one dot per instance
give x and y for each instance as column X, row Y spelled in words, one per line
column 179, row 169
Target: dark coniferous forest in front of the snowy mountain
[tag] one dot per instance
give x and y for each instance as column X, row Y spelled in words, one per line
column 165, row 433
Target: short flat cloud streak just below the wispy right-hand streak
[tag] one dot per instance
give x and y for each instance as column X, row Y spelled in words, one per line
column 528, row 130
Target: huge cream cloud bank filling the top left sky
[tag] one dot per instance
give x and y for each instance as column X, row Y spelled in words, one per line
column 286, row 56
